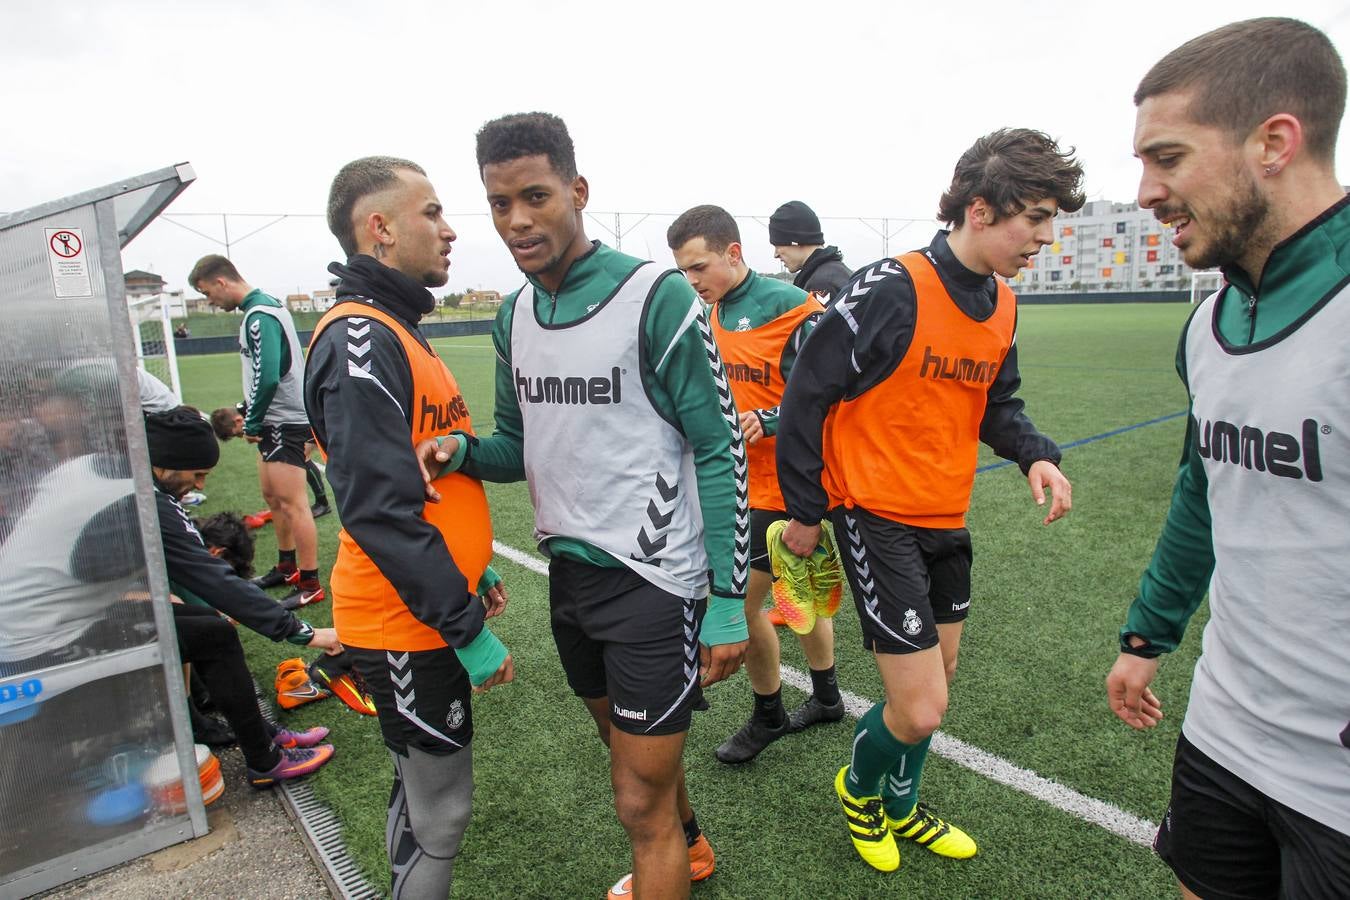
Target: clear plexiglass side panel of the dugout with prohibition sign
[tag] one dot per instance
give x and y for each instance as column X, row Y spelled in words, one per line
column 87, row 737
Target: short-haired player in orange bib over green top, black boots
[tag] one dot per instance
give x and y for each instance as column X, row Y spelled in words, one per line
column 759, row 326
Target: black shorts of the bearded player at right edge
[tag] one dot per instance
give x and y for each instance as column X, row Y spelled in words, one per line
column 1224, row 839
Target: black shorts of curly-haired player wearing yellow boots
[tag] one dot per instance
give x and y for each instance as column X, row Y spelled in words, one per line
column 905, row 580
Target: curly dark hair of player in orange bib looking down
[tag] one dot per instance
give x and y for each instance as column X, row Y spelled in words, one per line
column 1008, row 168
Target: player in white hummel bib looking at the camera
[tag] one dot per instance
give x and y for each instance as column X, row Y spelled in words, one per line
column 612, row 403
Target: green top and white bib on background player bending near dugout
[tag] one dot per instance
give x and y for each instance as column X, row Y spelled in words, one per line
column 273, row 365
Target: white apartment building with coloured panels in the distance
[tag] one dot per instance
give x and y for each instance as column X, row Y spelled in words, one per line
column 1106, row 248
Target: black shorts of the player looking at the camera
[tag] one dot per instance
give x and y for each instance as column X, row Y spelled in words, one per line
column 622, row 638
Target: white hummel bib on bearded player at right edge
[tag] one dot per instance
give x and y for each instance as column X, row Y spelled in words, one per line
column 1271, row 696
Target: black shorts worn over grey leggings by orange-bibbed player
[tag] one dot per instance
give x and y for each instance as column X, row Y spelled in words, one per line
column 422, row 698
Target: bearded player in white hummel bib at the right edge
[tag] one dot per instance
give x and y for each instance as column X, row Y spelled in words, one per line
column 1239, row 160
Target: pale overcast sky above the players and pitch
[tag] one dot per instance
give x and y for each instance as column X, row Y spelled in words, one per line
column 858, row 109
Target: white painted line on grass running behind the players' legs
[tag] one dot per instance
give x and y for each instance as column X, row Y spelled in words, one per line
column 1098, row 813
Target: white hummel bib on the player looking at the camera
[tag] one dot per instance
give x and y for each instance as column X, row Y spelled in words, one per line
column 581, row 384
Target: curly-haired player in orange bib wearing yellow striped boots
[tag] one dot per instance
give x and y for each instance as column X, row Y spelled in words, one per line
column 912, row 368
